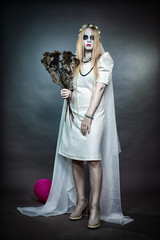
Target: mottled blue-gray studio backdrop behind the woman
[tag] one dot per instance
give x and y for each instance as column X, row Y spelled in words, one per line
column 32, row 103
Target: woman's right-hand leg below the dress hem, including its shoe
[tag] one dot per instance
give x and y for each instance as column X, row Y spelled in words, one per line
column 95, row 176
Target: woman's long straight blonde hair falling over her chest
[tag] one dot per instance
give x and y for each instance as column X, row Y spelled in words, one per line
column 95, row 51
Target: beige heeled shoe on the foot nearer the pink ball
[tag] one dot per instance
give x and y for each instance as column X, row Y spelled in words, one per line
column 80, row 211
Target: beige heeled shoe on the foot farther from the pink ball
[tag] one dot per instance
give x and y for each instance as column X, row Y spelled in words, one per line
column 94, row 220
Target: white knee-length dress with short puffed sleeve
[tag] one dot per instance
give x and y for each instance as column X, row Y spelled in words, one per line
column 74, row 144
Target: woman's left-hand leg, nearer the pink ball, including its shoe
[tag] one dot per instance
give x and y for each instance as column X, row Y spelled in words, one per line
column 79, row 179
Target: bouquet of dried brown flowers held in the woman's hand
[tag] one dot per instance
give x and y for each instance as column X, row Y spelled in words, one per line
column 61, row 66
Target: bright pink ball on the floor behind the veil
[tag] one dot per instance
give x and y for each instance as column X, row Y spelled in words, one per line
column 42, row 189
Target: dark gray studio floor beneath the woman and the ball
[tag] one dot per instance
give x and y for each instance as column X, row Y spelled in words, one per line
column 144, row 208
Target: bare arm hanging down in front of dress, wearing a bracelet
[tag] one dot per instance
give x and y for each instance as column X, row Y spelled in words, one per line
column 95, row 101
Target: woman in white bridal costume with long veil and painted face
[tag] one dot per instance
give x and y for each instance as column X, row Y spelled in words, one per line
column 92, row 139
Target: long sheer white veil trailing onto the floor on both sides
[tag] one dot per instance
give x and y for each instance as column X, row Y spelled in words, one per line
column 63, row 197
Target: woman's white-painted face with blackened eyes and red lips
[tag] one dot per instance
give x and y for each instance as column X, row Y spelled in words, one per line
column 88, row 39
